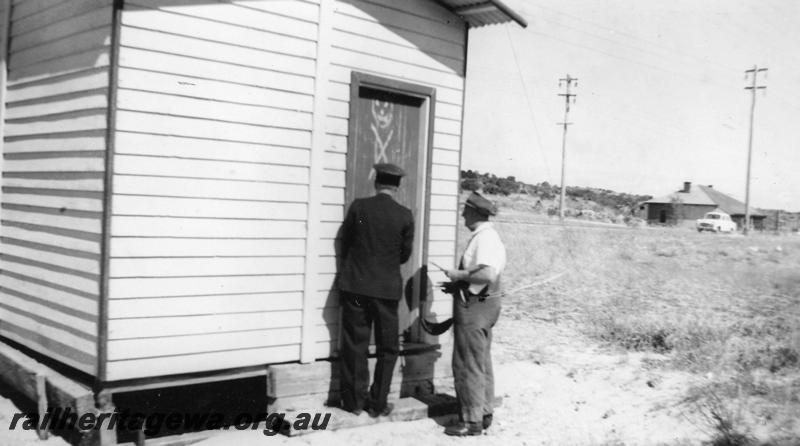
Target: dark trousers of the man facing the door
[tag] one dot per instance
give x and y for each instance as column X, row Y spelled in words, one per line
column 358, row 314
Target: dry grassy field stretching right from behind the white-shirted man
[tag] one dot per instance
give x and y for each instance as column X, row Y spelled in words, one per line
column 722, row 306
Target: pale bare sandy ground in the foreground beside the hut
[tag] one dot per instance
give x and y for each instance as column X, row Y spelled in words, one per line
column 558, row 388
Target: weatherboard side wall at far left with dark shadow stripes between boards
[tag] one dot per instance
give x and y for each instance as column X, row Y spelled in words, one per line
column 53, row 170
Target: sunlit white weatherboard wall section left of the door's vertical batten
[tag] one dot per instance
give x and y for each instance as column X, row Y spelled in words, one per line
column 210, row 188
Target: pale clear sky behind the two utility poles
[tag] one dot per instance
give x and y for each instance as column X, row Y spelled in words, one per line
column 660, row 96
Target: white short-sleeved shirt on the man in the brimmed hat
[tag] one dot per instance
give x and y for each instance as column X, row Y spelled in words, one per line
column 485, row 248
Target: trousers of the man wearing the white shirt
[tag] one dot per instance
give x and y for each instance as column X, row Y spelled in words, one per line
column 472, row 356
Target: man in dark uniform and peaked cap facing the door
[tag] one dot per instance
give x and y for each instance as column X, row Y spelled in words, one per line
column 376, row 238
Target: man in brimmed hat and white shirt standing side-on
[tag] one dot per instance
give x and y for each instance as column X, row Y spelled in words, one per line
column 476, row 309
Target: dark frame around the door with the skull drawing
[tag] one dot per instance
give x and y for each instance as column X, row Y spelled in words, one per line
column 428, row 95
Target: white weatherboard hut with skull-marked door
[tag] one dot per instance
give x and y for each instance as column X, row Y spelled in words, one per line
column 174, row 172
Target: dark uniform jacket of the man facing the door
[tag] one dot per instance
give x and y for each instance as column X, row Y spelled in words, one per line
column 377, row 237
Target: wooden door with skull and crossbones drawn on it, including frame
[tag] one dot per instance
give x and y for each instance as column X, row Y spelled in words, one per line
column 389, row 123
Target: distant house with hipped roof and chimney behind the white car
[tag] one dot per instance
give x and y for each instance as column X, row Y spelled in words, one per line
column 688, row 204
